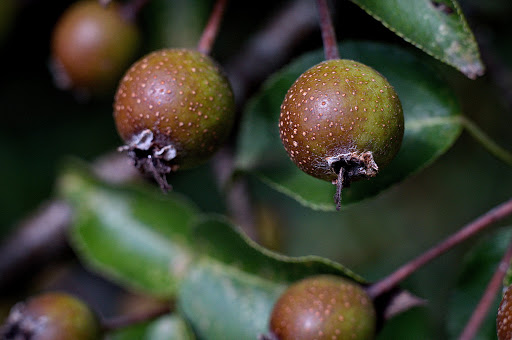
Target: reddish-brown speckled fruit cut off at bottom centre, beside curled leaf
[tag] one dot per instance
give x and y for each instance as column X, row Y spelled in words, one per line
column 323, row 307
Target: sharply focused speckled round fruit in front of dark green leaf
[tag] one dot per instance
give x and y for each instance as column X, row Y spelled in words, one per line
column 341, row 121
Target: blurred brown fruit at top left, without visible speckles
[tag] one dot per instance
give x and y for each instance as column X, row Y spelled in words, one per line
column 92, row 46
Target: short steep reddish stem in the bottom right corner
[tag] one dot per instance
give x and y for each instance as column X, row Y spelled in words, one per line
column 488, row 297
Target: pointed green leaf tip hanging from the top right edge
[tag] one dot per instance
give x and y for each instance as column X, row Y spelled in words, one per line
column 436, row 26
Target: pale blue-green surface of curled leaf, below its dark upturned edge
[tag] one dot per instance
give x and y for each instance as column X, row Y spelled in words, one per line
column 224, row 303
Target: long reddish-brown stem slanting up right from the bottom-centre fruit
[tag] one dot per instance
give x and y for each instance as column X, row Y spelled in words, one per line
column 501, row 211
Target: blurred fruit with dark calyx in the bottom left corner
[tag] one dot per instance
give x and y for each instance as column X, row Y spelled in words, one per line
column 52, row 316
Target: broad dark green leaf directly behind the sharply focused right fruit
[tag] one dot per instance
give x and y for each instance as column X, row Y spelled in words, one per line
column 432, row 124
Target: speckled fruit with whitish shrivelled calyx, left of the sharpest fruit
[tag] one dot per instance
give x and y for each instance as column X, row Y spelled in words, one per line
column 174, row 108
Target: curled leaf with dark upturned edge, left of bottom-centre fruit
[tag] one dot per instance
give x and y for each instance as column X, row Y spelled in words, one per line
column 230, row 293
